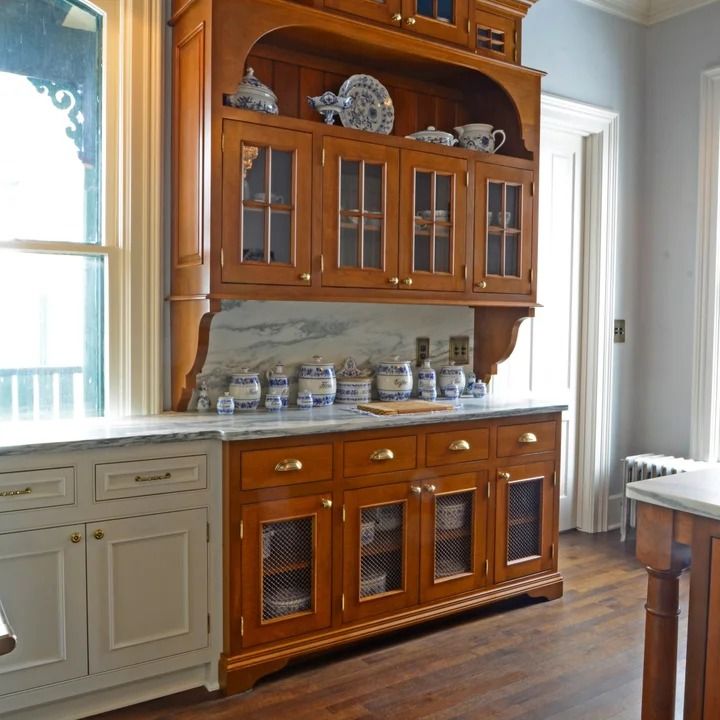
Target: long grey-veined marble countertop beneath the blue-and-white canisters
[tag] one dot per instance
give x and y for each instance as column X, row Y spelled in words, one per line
column 24, row 436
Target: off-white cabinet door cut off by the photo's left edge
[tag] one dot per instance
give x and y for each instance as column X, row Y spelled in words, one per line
column 42, row 586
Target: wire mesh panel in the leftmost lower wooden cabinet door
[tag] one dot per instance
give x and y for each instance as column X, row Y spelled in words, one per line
column 287, row 567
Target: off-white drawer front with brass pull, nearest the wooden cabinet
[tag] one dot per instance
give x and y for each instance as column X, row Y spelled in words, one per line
column 150, row 477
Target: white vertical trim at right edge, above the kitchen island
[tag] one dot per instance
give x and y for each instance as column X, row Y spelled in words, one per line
column 705, row 410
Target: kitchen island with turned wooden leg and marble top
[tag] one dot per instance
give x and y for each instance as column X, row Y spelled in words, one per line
column 679, row 520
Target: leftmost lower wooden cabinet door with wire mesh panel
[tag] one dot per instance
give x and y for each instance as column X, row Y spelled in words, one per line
column 286, row 568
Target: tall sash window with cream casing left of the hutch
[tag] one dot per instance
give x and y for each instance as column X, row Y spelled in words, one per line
column 71, row 256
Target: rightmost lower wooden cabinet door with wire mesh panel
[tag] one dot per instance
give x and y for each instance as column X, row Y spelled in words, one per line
column 524, row 520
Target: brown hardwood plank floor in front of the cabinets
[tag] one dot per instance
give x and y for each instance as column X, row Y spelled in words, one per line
column 577, row 658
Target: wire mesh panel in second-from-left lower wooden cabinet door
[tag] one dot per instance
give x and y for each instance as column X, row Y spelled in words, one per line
column 381, row 549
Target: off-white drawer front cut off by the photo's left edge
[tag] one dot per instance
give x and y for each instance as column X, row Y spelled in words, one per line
column 34, row 489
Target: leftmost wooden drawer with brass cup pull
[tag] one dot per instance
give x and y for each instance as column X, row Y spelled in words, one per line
column 286, row 466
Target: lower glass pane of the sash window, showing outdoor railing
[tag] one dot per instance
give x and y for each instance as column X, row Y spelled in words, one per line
column 53, row 367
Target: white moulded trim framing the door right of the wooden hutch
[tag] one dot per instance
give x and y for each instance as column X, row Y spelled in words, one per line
column 594, row 415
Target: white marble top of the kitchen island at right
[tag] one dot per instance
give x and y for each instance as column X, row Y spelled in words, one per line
column 696, row 492
